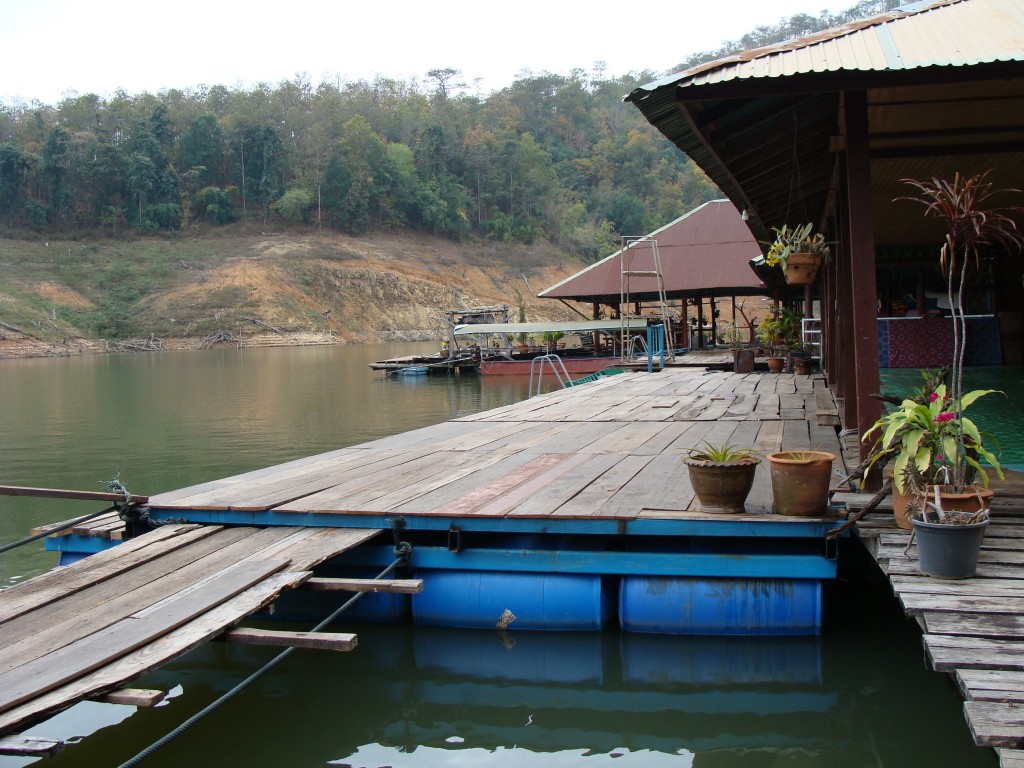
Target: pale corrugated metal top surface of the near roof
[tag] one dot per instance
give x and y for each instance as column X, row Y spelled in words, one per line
column 945, row 34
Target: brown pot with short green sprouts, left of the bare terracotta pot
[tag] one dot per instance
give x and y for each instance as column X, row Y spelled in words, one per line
column 721, row 477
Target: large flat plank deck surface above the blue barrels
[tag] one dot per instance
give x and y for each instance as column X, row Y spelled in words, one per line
column 612, row 449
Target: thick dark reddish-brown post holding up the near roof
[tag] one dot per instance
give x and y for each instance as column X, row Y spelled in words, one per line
column 866, row 325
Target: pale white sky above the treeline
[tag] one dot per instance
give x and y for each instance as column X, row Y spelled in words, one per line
column 53, row 49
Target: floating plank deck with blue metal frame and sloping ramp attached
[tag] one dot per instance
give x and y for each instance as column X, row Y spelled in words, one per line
column 603, row 459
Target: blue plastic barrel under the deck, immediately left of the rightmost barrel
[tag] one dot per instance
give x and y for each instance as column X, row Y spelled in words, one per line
column 529, row 602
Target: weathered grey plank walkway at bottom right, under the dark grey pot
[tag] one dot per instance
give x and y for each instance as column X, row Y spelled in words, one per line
column 973, row 629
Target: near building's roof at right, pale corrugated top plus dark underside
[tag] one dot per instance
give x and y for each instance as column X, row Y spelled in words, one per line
column 945, row 84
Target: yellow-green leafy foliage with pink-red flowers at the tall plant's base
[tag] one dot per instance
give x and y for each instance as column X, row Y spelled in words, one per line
column 929, row 440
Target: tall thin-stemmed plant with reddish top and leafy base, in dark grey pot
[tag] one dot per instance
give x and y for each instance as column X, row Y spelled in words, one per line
column 949, row 445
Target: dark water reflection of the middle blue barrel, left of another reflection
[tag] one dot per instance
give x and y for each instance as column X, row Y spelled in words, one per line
column 532, row 657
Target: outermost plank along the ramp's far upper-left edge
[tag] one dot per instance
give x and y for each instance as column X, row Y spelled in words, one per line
column 60, row 583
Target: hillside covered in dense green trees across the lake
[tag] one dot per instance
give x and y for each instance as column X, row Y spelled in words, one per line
column 552, row 161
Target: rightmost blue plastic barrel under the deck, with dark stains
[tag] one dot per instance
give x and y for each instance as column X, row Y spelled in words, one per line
column 688, row 606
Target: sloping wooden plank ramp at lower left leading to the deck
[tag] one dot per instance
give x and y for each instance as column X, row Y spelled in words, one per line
column 87, row 629
